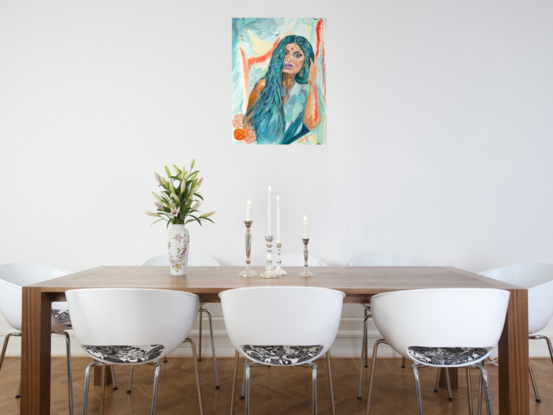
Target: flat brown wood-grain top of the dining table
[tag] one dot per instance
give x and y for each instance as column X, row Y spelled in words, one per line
column 358, row 283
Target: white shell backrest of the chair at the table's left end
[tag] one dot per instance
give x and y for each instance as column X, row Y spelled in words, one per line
column 13, row 277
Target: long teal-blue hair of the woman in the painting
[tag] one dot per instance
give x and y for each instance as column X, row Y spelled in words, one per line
column 266, row 116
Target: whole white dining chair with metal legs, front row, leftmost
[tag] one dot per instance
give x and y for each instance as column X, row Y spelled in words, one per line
column 134, row 327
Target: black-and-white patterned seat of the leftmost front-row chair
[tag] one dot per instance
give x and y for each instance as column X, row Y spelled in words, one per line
column 125, row 354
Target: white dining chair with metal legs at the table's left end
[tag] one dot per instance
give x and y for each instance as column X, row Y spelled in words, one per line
column 13, row 277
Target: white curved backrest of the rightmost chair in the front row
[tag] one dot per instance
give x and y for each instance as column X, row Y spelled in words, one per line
column 448, row 317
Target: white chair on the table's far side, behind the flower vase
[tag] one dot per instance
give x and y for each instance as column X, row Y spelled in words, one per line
column 195, row 259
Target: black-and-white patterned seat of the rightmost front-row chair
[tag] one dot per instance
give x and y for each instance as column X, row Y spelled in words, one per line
column 446, row 356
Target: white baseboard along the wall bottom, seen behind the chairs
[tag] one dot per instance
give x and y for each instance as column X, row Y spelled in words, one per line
column 347, row 344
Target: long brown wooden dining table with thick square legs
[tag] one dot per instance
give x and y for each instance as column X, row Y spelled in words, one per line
column 358, row 283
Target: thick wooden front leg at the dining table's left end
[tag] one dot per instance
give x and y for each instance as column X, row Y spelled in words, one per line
column 35, row 352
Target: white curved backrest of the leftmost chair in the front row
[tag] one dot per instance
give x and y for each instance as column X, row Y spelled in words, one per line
column 132, row 317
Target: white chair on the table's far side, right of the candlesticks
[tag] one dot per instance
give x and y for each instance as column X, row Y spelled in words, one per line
column 380, row 260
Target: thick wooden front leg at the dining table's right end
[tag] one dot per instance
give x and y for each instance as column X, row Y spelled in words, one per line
column 514, row 393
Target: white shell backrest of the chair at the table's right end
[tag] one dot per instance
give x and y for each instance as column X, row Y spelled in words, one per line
column 538, row 279
